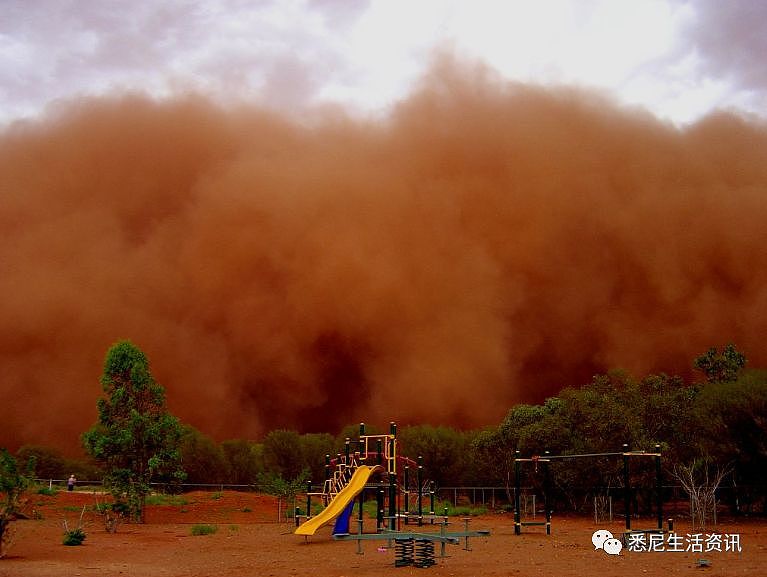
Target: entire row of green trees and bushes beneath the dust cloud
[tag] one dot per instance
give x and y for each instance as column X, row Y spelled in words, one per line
column 718, row 420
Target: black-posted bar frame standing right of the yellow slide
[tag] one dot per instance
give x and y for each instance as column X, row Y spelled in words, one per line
column 626, row 455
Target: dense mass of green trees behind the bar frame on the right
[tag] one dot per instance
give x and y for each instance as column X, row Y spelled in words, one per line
column 724, row 419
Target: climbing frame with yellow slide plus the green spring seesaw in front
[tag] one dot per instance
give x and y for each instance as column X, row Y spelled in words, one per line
column 351, row 476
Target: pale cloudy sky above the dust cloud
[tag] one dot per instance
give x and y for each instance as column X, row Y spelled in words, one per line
column 679, row 59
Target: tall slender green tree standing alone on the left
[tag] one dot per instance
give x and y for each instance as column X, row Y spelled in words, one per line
column 136, row 439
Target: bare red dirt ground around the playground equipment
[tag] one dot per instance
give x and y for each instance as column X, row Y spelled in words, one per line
column 250, row 541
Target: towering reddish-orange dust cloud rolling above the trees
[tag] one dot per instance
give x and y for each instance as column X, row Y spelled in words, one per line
column 484, row 244
